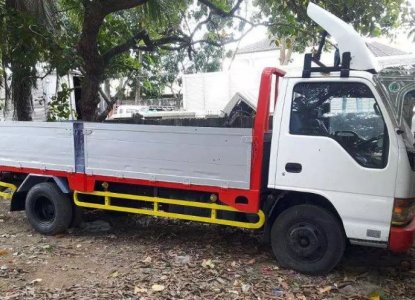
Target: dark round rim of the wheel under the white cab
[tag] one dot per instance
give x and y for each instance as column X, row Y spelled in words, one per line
column 306, row 242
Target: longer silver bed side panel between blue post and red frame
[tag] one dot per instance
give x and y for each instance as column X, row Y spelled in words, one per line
column 190, row 155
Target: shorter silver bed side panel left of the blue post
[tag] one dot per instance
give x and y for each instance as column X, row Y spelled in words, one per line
column 37, row 145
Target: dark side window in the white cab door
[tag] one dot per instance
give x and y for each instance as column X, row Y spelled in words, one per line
column 345, row 112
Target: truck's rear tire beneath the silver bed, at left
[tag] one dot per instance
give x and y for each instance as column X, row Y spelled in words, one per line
column 48, row 210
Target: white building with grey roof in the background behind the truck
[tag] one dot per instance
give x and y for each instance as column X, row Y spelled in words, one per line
column 208, row 93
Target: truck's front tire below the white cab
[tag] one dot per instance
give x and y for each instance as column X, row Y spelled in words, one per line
column 308, row 239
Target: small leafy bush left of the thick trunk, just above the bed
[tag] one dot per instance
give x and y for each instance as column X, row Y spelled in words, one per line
column 59, row 108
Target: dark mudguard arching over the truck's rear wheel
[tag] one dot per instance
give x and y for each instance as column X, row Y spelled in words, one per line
column 19, row 197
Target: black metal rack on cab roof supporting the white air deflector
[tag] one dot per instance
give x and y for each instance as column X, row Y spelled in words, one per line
column 343, row 66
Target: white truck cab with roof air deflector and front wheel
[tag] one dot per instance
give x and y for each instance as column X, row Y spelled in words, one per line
column 343, row 133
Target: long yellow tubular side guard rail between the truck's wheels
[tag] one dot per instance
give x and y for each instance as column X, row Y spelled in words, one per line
column 158, row 213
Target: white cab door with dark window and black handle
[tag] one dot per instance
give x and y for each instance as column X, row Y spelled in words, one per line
column 333, row 138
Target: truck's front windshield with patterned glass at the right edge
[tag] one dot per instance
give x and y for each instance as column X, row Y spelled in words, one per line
column 397, row 84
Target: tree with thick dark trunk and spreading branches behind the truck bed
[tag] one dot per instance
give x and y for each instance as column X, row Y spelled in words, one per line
column 159, row 26
